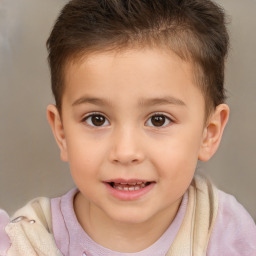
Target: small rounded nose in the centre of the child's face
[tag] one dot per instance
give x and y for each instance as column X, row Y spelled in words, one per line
column 126, row 147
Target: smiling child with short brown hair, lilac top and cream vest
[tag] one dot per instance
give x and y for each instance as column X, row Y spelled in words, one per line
column 139, row 100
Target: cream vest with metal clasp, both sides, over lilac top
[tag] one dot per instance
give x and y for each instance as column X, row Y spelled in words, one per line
column 31, row 229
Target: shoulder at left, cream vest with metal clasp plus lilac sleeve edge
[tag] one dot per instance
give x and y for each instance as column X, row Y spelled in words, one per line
column 30, row 226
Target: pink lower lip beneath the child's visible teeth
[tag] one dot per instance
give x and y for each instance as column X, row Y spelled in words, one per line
column 129, row 195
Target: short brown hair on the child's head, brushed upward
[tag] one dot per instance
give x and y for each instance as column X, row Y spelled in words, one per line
column 194, row 29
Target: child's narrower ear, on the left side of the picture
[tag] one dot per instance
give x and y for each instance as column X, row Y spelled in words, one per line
column 55, row 122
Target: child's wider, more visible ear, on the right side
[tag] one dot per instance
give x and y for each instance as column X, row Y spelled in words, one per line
column 213, row 132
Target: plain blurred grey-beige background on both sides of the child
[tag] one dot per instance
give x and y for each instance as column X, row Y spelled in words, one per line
column 29, row 159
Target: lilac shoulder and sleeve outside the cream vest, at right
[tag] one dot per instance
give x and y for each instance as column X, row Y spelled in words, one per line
column 234, row 232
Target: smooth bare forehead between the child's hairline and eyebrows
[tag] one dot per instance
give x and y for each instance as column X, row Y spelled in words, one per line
column 140, row 74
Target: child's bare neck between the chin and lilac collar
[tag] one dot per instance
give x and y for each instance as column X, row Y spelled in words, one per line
column 131, row 237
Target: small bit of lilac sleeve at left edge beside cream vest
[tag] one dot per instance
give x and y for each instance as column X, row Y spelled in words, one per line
column 4, row 238
